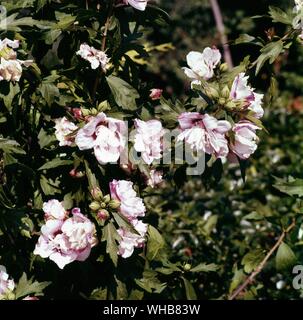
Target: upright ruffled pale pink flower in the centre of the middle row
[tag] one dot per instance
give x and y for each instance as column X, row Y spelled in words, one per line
column 148, row 139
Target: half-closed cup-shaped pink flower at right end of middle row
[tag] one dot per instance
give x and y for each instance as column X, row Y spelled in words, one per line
column 245, row 140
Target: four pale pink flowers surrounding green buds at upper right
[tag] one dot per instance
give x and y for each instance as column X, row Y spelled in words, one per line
column 203, row 132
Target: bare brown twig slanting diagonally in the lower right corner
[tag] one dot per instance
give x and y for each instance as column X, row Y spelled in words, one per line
column 250, row 279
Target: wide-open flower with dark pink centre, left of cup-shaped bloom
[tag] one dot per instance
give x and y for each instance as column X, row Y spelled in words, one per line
column 204, row 133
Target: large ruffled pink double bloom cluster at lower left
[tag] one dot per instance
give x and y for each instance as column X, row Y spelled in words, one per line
column 65, row 239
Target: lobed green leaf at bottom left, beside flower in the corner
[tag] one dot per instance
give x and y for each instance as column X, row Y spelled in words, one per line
column 26, row 287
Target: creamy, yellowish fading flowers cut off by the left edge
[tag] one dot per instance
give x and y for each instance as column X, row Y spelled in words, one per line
column 10, row 66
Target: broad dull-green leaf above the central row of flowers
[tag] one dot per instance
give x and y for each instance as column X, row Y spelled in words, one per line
column 124, row 94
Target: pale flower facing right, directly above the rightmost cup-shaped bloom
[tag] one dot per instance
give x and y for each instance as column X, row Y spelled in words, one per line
column 241, row 90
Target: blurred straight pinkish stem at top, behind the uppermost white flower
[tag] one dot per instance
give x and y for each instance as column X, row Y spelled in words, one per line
column 221, row 29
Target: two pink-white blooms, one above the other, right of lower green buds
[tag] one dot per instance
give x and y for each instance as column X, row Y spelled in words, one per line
column 132, row 207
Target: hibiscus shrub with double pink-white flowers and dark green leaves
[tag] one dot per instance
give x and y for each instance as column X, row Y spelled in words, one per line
column 91, row 151
